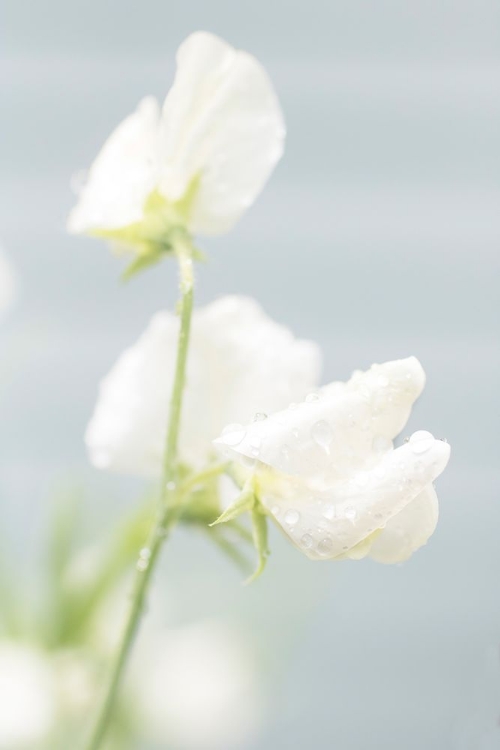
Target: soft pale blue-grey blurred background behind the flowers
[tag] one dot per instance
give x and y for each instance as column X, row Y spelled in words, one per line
column 378, row 235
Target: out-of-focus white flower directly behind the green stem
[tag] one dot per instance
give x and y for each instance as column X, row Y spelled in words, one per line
column 239, row 362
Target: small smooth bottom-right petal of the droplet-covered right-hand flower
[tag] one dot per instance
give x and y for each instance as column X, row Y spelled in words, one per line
column 409, row 530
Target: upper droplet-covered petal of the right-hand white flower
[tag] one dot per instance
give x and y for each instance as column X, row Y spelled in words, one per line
column 348, row 427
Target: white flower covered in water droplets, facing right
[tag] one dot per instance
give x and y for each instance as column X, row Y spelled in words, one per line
column 328, row 474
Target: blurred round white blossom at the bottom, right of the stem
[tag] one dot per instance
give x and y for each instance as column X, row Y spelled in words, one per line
column 197, row 688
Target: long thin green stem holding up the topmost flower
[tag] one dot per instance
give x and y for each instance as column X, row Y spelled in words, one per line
column 165, row 518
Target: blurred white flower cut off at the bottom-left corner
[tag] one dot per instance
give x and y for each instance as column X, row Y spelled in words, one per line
column 28, row 702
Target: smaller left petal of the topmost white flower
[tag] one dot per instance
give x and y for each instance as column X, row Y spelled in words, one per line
column 122, row 176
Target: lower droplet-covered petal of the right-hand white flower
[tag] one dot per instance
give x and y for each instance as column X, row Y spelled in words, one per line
column 327, row 524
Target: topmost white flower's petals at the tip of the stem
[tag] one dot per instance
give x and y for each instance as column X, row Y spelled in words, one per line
column 207, row 153
